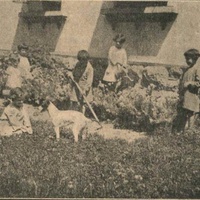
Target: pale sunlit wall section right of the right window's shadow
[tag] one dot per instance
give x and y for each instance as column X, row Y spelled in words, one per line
column 185, row 33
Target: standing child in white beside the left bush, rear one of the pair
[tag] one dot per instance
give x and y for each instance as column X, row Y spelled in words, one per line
column 24, row 65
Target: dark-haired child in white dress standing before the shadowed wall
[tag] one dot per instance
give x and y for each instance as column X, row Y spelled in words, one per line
column 117, row 59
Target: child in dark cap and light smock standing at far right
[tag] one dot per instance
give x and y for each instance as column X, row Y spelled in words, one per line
column 189, row 86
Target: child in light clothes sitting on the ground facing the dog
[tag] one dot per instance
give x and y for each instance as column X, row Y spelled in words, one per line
column 15, row 119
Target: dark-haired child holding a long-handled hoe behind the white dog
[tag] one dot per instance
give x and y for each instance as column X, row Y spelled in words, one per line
column 83, row 75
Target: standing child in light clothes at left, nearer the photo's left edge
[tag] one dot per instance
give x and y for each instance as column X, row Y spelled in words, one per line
column 13, row 73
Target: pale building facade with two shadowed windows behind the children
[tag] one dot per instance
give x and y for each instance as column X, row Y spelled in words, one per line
column 156, row 31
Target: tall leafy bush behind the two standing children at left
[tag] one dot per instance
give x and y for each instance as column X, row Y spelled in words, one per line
column 49, row 77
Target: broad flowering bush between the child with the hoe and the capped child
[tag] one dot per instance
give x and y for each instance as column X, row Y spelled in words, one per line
column 136, row 108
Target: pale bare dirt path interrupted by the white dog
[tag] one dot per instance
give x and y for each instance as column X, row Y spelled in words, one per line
column 108, row 132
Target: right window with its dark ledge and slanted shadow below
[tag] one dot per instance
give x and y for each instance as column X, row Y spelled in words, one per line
column 145, row 33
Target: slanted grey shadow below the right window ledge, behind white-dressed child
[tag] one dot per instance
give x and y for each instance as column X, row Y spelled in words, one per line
column 145, row 40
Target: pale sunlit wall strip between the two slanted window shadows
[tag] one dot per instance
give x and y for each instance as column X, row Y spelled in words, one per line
column 79, row 27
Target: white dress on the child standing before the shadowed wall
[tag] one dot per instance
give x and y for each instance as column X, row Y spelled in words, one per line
column 115, row 56
